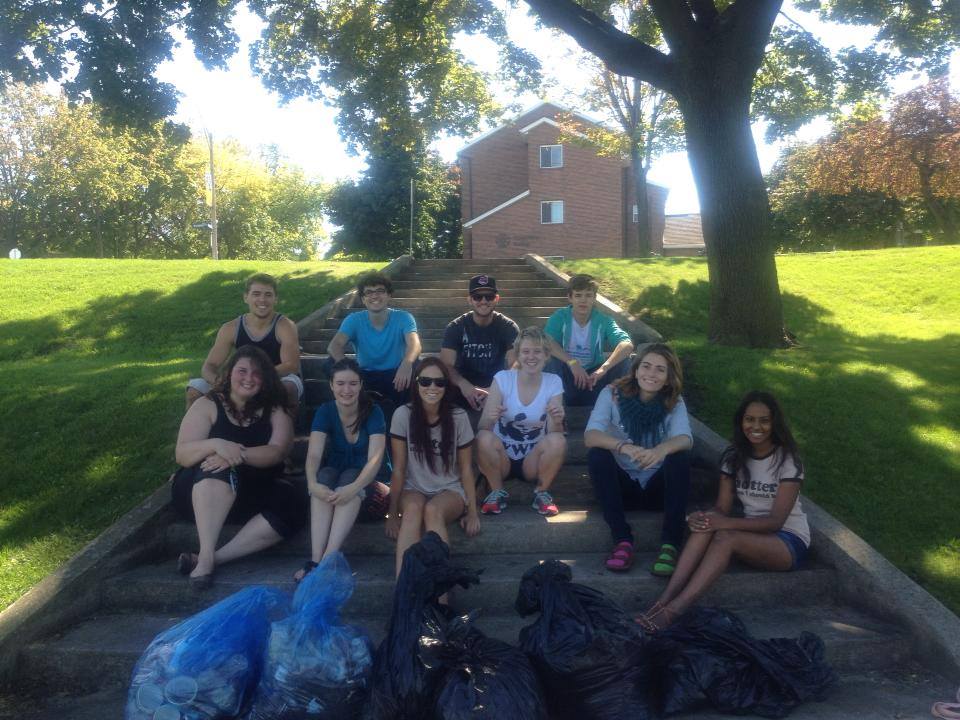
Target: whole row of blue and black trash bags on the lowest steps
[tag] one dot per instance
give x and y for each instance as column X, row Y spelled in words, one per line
column 259, row 655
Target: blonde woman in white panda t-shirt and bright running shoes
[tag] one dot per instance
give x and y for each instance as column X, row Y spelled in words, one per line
column 521, row 430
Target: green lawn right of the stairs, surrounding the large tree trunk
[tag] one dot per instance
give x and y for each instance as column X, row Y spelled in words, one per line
column 872, row 393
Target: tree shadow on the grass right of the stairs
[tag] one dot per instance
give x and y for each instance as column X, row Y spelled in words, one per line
column 876, row 418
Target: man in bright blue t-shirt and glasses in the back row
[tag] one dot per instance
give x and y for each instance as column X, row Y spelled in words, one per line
column 385, row 339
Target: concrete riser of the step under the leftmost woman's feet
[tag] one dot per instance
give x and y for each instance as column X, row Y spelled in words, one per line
column 169, row 593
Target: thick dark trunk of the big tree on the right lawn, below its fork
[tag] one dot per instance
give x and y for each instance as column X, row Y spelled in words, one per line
column 745, row 307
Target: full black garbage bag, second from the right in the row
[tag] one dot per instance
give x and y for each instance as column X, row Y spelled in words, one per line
column 588, row 652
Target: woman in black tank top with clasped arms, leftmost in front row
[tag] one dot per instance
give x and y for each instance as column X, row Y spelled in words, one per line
column 231, row 447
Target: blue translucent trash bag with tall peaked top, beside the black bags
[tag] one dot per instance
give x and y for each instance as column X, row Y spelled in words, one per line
column 315, row 667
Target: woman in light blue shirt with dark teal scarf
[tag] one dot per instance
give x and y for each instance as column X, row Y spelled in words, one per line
column 639, row 438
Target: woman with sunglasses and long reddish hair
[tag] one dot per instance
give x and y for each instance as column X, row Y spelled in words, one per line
column 431, row 444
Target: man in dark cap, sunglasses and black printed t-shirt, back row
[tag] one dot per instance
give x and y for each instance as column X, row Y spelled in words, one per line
column 478, row 344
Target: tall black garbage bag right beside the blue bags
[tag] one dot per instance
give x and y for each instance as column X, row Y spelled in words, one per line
column 402, row 686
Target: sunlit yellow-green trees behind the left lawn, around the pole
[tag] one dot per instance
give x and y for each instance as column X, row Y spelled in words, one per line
column 73, row 184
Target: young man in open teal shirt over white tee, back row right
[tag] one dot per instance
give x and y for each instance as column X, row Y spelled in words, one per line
column 579, row 336
